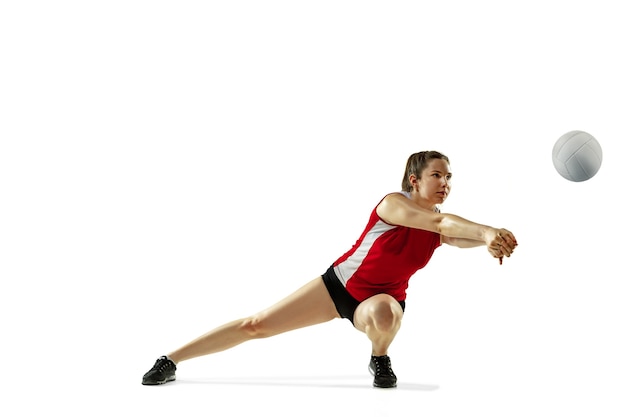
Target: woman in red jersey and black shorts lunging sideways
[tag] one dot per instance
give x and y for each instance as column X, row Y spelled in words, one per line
column 366, row 285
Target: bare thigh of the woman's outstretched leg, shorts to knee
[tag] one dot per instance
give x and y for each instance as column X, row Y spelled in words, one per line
column 311, row 304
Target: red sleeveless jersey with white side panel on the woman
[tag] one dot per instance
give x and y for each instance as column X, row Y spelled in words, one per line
column 384, row 258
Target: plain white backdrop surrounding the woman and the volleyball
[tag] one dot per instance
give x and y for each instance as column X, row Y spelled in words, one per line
column 168, row 166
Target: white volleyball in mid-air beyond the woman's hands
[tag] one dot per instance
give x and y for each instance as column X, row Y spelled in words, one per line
column 577, row 156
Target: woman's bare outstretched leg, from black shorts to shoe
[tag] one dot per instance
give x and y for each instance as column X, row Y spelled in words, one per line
column 309, row 305
